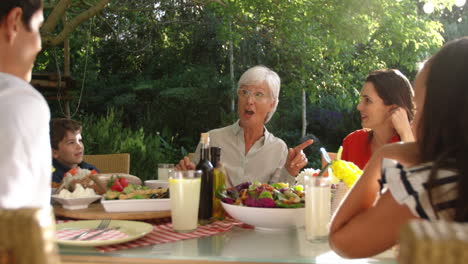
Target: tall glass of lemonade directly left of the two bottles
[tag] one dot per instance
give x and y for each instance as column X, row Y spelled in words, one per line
column 184, row 187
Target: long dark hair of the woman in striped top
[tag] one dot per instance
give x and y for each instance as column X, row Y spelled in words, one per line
column 444, row 122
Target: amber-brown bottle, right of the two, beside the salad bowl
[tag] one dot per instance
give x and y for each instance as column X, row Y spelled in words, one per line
column 219, row 182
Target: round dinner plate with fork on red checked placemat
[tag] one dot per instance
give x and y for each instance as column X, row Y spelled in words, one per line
column 132, row 229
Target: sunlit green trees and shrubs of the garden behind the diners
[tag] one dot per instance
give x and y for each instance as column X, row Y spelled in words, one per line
column 152, row 75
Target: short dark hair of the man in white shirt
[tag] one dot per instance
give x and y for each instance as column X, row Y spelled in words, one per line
column 29, row 7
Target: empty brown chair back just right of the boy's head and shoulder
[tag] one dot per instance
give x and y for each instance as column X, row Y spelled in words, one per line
column 110, row 163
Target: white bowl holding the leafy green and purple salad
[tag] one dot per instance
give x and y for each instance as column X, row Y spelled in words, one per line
column 268, row 219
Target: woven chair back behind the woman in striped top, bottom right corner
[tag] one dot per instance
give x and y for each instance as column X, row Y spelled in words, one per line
column 433, row 242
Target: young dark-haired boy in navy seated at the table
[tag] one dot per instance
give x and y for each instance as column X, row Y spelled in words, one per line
column 67, row 147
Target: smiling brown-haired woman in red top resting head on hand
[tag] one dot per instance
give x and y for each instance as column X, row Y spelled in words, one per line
column 386, row 109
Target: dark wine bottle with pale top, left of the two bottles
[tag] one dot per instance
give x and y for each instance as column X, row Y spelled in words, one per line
column 206, row 189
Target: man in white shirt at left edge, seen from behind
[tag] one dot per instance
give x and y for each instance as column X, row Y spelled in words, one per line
column 24, row 113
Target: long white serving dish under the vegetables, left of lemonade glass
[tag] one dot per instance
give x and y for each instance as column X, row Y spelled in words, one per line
column 136, row 205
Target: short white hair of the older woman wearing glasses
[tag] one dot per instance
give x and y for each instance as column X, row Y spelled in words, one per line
column 259, row 74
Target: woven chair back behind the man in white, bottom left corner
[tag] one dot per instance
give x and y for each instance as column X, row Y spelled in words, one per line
column 28, row 236
